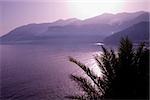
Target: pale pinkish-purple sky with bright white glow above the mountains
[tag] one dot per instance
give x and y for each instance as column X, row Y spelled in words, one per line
column 14, row 13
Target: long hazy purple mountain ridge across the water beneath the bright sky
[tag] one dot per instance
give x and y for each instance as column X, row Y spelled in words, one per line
column 99, row 26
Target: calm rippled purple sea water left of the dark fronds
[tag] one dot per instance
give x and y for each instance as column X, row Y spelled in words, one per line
column 41, row 72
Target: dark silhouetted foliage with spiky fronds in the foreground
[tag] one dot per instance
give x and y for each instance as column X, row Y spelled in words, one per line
column 125, row 74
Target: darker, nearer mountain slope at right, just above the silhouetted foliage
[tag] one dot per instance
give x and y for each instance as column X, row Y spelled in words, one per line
column 137, row 33
